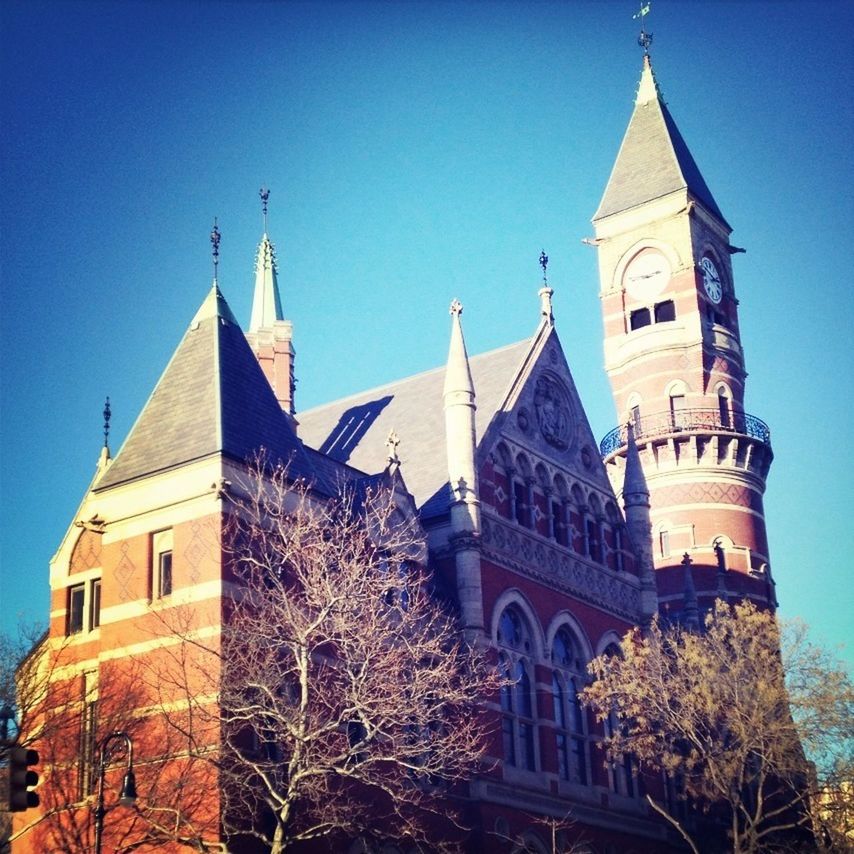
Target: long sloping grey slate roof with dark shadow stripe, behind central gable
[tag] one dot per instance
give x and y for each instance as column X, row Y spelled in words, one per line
column 354, row 429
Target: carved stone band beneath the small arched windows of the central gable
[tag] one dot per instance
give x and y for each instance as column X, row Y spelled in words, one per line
column 507, row 544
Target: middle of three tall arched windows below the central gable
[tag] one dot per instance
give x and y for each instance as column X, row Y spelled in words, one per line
column 570, row 726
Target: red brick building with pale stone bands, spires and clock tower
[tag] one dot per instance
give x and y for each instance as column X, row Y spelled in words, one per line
column 552, row 552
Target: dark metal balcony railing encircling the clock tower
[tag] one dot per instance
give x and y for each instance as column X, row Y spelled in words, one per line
column 688, row 421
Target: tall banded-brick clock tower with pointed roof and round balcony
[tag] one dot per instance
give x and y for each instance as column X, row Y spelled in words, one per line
column 674, row 356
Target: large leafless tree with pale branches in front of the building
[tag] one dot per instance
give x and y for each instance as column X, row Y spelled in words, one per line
column 349, row 702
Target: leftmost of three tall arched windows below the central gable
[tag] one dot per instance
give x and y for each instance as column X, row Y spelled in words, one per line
column 518, row 729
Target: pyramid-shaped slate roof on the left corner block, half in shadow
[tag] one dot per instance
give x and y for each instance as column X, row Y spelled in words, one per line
column 212, row 398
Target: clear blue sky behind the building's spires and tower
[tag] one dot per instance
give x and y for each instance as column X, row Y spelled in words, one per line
column 416, row 152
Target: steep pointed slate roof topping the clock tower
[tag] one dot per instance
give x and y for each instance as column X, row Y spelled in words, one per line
column 653, row 159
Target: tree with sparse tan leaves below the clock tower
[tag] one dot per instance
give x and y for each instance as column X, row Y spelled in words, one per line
column 714, row 711
